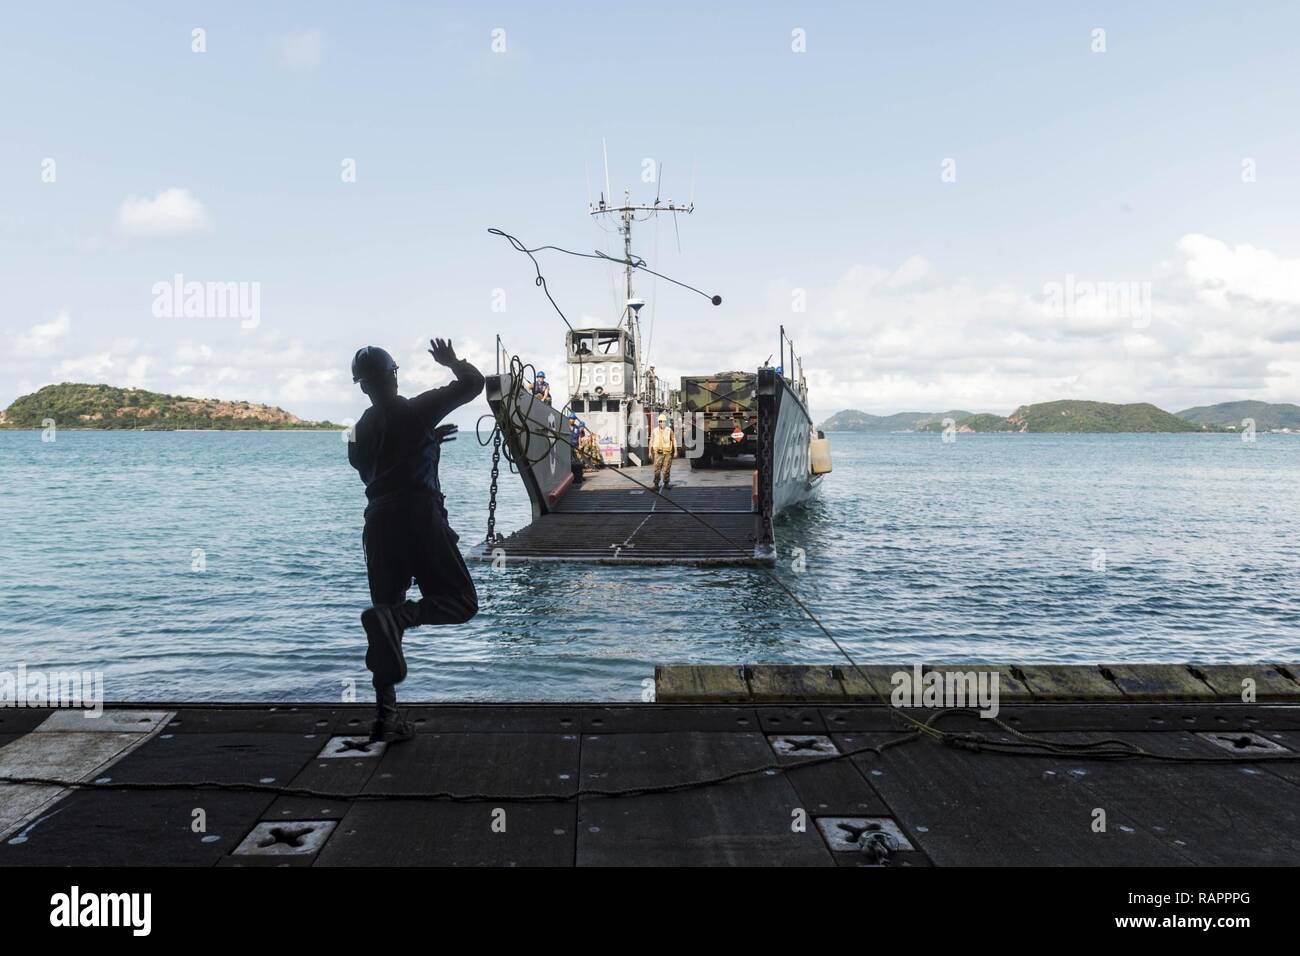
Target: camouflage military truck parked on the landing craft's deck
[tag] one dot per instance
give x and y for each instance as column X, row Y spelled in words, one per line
column 725, row 410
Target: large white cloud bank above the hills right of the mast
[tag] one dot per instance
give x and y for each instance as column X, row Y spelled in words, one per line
column 905, row 336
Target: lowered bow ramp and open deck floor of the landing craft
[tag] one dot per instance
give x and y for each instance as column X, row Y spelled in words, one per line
column 610, row 518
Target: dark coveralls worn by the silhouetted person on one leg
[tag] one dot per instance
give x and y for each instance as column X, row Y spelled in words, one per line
column 408, row 534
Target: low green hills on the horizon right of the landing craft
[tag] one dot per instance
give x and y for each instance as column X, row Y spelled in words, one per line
column 1074, row 416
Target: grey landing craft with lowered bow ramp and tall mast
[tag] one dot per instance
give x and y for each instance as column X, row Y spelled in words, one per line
column 748, row 438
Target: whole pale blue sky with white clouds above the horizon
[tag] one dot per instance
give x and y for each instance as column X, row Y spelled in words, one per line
column 947, row 205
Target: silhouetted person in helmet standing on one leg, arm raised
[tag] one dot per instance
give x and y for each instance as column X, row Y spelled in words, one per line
column 396, row 451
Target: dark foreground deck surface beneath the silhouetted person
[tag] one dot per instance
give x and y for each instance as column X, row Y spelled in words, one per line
column 954, row 807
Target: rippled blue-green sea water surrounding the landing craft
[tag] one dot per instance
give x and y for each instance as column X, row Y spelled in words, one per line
column 228, row 566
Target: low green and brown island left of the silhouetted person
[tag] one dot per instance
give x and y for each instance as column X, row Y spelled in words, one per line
column 107, row 408
